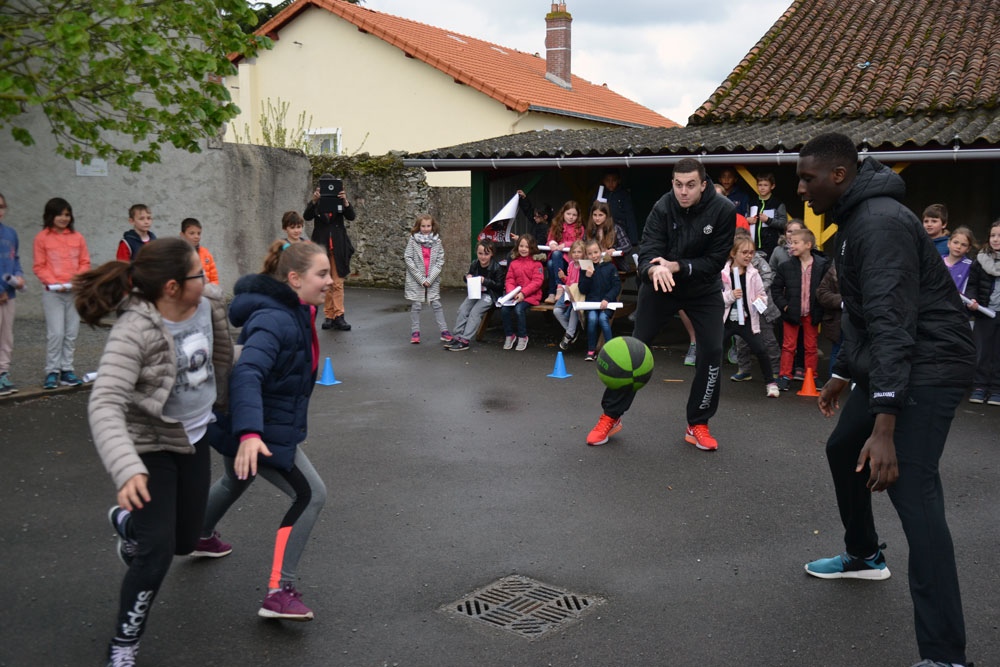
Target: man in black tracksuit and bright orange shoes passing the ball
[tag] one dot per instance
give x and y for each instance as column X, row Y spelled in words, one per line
column 685, row 244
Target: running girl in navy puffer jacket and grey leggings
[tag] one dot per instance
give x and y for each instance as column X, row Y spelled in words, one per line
column 270, row 389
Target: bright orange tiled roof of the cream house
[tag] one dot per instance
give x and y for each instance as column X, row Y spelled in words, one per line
column 513, row 78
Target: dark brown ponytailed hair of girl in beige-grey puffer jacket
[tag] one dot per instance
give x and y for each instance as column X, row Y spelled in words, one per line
column 100, row 290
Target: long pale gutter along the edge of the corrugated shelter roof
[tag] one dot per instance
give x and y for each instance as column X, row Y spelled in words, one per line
column 463, row 164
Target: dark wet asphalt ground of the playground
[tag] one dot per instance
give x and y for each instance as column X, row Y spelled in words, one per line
column 448, row 472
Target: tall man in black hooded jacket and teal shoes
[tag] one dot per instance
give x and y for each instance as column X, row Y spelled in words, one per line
column 908, row 347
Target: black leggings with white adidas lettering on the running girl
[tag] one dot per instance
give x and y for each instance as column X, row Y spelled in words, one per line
column 168, row 525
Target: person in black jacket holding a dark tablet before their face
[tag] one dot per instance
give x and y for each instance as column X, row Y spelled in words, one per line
column 330, row 232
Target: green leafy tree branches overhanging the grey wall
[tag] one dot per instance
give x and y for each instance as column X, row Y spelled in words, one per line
column 115, row 78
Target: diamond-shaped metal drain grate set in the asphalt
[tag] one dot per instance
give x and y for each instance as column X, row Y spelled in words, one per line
column 523, row 606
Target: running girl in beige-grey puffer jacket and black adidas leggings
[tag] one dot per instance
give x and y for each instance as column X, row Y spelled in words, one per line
column 165, row 364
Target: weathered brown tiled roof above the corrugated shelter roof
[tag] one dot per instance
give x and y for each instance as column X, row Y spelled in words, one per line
column 866, row 58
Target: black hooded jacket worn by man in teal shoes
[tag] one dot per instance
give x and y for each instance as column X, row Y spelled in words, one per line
column 904, row 325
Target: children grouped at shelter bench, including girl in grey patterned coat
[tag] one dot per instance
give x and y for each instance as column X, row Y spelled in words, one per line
column 569, row 242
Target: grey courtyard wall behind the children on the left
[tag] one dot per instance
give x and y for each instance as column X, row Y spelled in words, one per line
column 239, row 194
